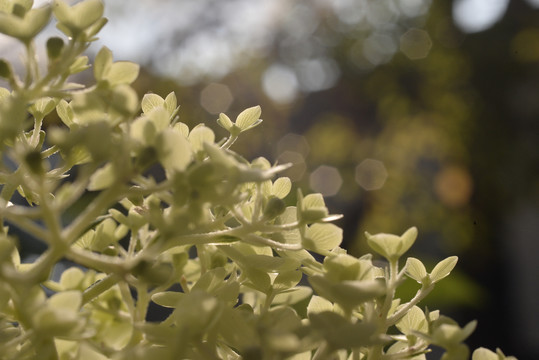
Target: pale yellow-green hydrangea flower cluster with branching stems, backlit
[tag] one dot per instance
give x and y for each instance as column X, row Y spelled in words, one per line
column 217, row 239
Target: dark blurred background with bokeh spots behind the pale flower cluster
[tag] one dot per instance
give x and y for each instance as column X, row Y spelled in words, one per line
column 401, row 112
